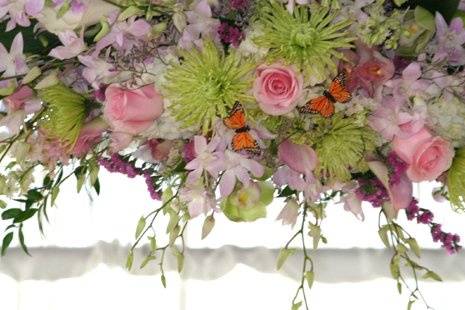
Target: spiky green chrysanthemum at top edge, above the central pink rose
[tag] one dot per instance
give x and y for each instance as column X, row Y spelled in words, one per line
column 308, row 38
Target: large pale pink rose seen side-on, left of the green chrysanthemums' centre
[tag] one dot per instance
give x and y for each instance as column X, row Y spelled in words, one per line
column 132, row 110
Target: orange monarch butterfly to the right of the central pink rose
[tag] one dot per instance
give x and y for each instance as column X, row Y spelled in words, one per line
column 324, row 105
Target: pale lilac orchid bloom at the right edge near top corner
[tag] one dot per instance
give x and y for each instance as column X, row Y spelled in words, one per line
column 450, row 40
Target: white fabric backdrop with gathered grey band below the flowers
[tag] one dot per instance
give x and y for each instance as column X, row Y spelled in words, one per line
column 89, row 276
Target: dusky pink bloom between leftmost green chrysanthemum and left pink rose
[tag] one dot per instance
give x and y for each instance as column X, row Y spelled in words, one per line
column 90, row 135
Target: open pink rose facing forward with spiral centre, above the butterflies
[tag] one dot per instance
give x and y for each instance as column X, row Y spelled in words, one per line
column 277, row 89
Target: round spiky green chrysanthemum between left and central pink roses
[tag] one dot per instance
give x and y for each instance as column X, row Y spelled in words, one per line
column 206, row 84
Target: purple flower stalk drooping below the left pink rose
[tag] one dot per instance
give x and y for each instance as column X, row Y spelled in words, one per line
column 117, row 164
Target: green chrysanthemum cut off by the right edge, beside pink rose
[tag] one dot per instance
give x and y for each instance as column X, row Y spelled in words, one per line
column 456, row 181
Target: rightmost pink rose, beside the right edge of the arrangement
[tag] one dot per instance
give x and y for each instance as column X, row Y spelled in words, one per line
column 427, row 156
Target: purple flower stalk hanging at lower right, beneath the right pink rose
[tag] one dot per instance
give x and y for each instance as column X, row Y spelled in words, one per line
column 450, row 242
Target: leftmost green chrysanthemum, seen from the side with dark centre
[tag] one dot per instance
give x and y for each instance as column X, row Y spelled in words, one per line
column 65, row 113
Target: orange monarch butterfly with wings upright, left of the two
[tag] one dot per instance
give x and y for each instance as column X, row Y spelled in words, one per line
column 242, row 140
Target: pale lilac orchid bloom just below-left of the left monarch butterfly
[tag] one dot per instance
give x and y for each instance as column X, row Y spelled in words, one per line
column 207, row 159
